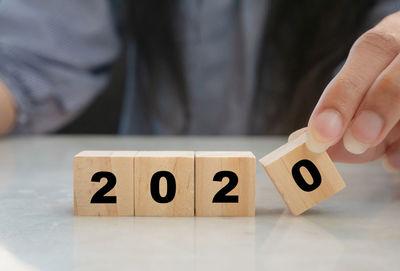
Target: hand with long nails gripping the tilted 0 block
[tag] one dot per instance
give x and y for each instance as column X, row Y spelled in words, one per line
column 358, row 114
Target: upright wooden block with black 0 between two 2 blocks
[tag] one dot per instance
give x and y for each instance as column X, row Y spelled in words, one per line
column 164, row 183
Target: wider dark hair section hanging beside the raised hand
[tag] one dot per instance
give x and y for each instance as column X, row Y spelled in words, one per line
column 304, row 41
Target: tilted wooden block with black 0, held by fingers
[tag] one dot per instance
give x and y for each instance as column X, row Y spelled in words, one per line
column 303, row 178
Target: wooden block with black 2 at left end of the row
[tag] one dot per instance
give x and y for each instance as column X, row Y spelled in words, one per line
column 103, row 183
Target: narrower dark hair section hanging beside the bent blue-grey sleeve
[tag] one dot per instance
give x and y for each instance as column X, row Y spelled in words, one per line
column 151, row 26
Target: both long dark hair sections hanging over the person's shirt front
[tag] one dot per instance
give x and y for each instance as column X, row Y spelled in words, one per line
column 304, row 40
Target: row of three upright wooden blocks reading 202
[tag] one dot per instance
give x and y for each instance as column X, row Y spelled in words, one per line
column 166, row 183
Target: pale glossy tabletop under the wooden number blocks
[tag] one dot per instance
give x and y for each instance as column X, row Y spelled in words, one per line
column 356, row 229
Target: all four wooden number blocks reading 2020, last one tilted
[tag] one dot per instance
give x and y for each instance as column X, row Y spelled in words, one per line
column 186, row 183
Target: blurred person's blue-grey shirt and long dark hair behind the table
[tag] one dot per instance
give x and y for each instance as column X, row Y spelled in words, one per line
column 184, row 67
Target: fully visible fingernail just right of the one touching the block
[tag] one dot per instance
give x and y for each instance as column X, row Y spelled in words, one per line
column 367, row 126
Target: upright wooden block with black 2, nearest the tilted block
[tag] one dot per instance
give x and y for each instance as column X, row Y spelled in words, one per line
column 225, row 184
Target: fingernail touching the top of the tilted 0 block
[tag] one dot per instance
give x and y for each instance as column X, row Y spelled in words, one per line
column 325, row 129
